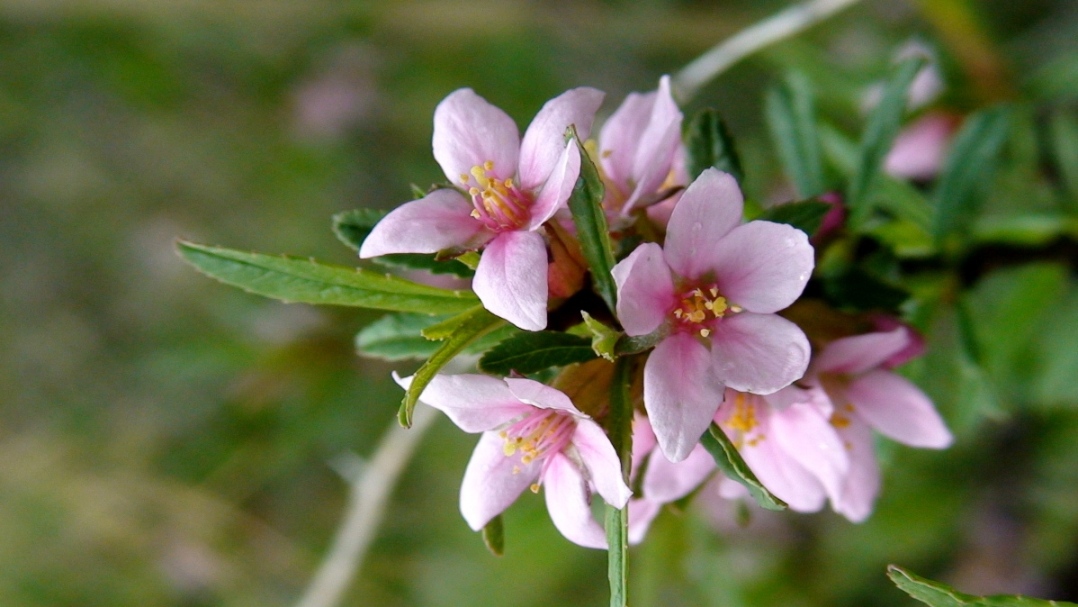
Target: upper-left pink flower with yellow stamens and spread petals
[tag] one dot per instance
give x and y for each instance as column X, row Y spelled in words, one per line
column 509, row 188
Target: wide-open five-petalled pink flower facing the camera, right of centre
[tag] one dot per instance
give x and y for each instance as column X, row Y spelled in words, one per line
column 713, row 292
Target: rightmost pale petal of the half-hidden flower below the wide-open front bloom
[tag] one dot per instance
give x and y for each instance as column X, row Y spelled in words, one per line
column 807, row 437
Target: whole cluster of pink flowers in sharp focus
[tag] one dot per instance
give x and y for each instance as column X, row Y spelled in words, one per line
column 702, row 289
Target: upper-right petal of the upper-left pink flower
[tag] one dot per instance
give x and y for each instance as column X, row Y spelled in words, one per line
column 545, row 140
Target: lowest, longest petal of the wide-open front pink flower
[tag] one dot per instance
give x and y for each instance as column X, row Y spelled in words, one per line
column 682, row 394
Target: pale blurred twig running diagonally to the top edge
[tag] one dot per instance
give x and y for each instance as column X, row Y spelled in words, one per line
column 797, row 19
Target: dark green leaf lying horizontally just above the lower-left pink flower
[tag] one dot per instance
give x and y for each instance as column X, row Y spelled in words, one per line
column 530, row 353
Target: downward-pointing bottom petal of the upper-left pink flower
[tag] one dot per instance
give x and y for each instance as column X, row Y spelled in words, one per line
column 508, row 280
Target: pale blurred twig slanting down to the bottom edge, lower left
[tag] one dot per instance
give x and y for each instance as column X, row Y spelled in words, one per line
column 371, row 486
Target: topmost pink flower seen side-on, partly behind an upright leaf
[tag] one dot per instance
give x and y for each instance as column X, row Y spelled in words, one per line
column 638, row 148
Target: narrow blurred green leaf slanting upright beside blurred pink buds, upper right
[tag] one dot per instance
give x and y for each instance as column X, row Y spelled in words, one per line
column 879, row 137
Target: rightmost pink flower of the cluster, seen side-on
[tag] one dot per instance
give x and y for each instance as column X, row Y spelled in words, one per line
column 855, row 375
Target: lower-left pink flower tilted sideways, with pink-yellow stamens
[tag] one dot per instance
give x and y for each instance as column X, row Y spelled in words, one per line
column 533, row 436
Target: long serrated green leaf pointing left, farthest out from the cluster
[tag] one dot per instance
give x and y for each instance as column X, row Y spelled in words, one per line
column 294, row 280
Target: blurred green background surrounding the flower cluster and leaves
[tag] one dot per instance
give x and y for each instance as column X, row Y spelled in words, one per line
column 168, row 440
